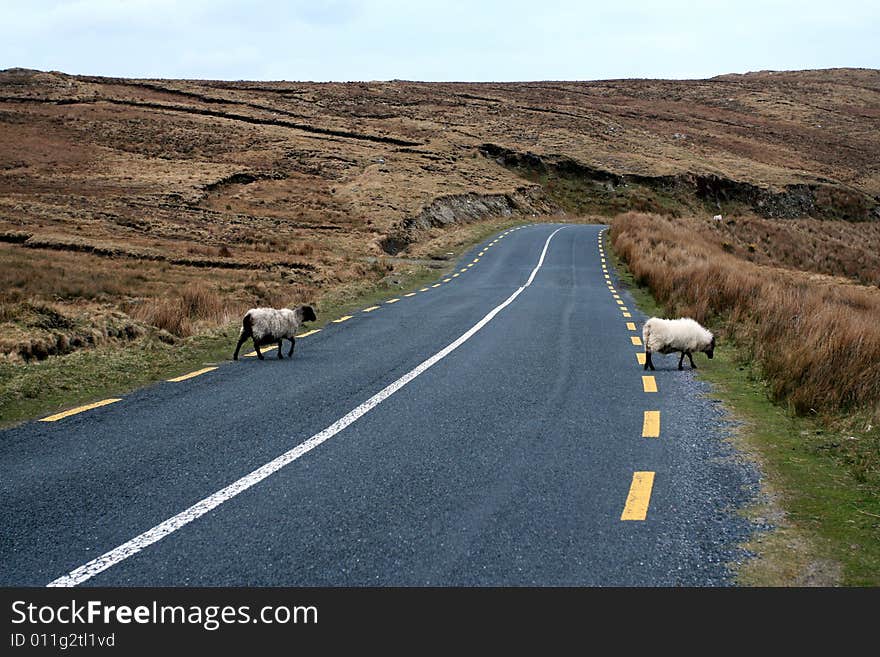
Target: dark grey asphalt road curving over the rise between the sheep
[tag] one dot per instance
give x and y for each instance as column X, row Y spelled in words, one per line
column 486, row 431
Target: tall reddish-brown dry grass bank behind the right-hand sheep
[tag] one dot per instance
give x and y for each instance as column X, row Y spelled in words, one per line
column 817, row 341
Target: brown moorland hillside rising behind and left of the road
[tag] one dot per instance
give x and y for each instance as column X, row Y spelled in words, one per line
column 117, row 195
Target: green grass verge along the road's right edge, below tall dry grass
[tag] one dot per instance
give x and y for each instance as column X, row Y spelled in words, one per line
column 819, row 476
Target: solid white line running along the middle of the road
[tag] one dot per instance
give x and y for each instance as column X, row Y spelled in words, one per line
column 197, row 510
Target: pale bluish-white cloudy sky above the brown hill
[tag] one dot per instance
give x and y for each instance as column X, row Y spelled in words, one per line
column 503, row 40
